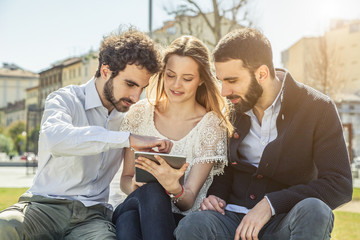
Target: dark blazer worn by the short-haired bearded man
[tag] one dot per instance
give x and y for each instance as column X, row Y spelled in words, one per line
column 307, row 159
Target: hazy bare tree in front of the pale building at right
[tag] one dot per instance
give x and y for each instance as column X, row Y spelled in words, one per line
column 324, row 69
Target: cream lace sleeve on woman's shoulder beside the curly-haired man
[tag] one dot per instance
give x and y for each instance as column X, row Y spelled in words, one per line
column 134, row 117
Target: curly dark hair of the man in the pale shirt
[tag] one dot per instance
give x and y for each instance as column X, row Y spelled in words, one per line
column 129, row 47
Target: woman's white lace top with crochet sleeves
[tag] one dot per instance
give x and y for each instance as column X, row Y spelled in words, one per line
column 206, row 142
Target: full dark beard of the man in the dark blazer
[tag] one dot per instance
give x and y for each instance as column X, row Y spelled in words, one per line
column 252, row 95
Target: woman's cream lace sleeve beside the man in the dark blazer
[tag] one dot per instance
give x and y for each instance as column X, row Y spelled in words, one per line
column 211, row 144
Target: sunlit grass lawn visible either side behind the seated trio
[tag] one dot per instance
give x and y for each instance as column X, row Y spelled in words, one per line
column 346, row 225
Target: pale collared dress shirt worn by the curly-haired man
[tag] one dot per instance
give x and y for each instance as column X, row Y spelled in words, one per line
column 80, row 146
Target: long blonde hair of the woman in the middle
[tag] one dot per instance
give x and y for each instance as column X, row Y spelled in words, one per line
column 208, row 93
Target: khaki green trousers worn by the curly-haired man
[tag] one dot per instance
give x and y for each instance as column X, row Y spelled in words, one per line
column 37, row 217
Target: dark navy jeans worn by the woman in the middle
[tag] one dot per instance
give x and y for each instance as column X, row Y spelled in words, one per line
column 145, row 214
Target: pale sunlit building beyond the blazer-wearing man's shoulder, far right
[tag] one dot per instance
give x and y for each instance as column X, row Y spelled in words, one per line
column 329, row 63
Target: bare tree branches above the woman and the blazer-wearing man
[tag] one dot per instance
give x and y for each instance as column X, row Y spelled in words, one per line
column 220, row 21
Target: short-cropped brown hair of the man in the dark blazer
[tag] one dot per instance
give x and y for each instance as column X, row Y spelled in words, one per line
column 248, row 45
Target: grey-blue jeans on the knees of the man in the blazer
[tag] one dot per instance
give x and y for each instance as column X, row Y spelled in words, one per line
column 309, row 219
